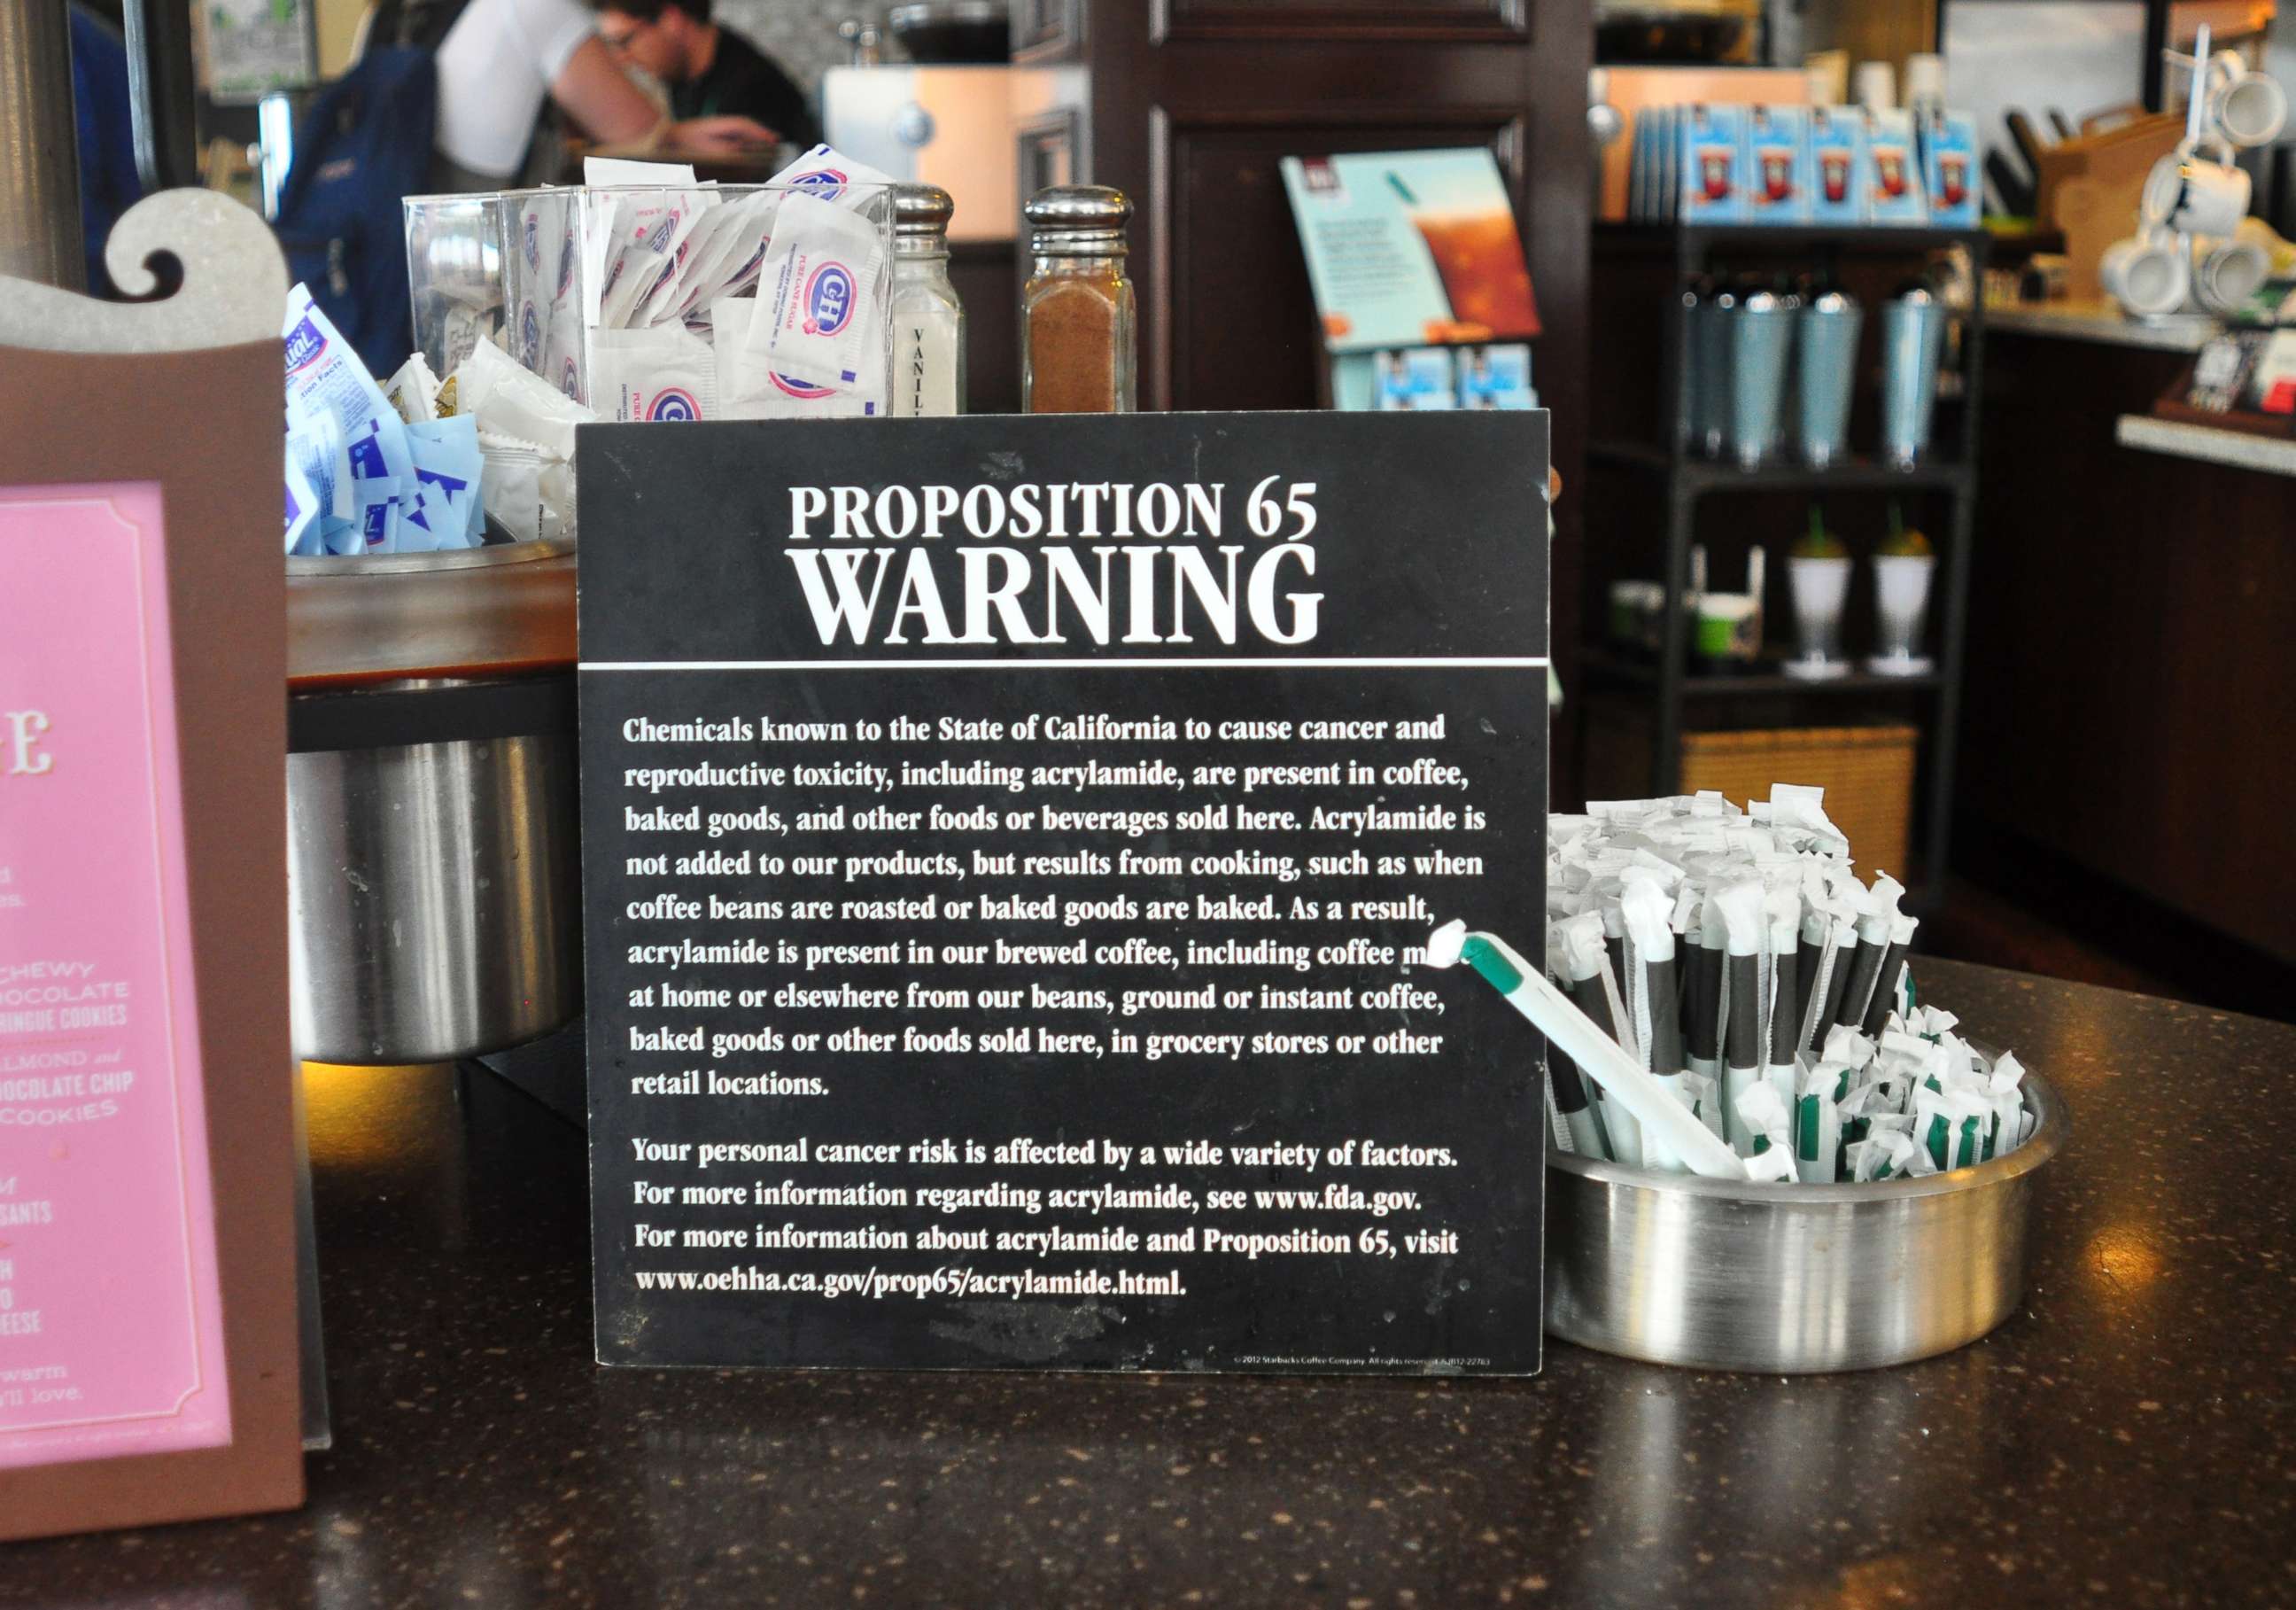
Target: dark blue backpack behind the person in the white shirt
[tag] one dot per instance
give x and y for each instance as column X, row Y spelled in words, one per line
column 364, row 146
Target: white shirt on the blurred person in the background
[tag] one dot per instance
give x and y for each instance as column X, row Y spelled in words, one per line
column 495, row 70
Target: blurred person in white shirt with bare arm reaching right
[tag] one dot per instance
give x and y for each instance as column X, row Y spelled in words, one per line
column 504, row 59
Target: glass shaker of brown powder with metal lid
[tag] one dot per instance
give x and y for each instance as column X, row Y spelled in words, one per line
column 1078, row 323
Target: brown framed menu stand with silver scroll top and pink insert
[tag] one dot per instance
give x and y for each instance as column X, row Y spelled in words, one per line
column 150, row 1347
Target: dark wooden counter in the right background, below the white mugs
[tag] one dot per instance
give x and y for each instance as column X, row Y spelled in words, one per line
column 2132, row 591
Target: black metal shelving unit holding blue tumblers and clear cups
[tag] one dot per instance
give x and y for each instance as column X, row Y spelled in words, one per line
column 1686, row 481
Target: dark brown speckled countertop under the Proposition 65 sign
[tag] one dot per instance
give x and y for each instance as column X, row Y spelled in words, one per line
column 2125, row 1441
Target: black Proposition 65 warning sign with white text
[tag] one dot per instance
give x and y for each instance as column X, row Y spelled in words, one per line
column 1007, row 858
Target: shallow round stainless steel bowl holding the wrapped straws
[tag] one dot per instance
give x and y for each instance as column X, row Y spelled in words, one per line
column 1792, row 1280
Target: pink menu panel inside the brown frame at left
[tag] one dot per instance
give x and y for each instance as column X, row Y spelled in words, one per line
column 111, row 1315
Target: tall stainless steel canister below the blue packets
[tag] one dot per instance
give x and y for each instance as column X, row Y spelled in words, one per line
column 433, row 883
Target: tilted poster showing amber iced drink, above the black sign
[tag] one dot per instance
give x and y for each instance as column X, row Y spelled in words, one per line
column 1411, row 249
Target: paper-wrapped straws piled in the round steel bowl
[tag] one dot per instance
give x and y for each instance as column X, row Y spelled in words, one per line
column 1742, row 961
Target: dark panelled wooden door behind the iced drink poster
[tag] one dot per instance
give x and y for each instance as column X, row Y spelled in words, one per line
column 1190, row 105
